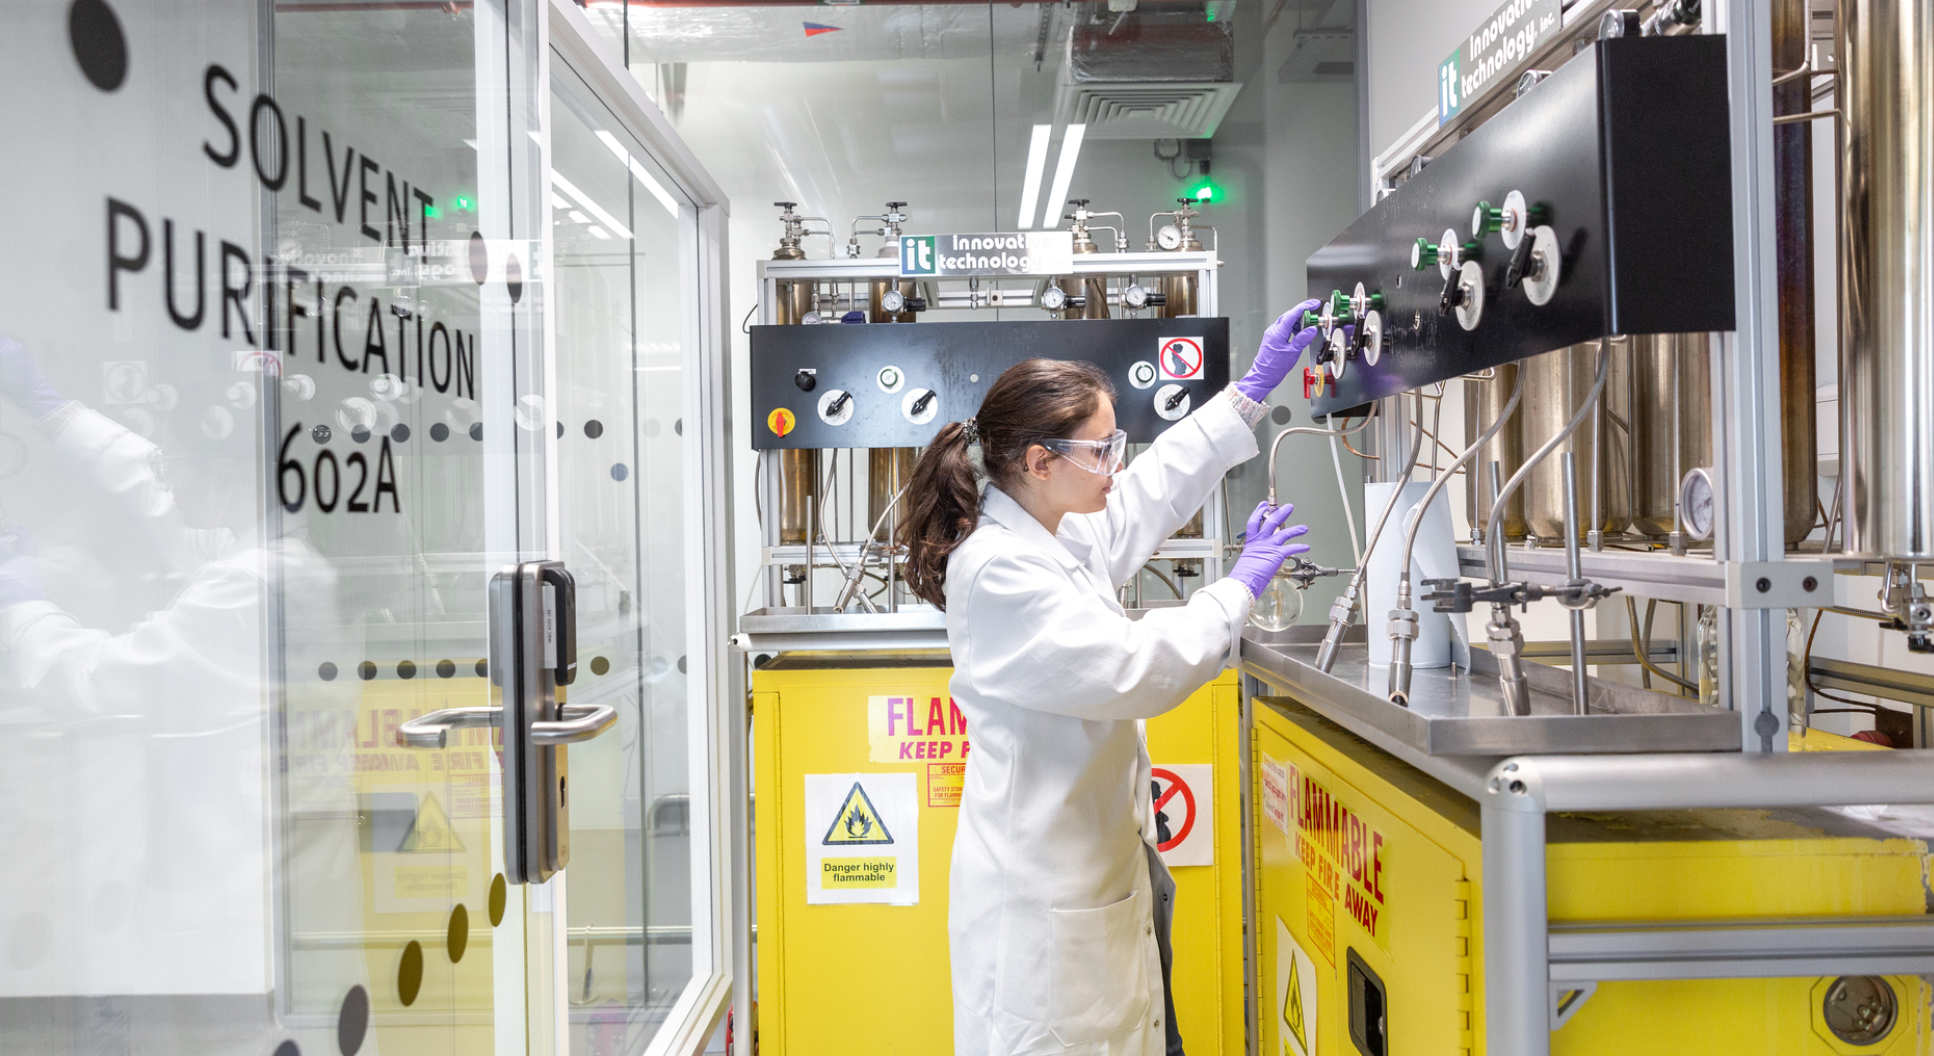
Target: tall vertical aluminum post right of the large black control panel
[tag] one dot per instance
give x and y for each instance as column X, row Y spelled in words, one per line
column 1745, row 384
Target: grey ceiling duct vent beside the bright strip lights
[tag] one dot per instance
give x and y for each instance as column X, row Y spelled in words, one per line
column 1150, row 76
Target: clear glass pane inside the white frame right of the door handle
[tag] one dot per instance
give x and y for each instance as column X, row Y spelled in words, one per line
column 624, row 297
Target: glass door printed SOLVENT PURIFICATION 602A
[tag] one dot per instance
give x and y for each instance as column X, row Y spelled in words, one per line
column 272, row 425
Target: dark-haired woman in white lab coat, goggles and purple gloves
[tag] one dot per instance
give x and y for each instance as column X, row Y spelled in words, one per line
column 1057, row 893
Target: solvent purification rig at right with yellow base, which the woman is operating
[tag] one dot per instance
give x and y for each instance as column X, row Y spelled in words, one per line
column 1626, row 838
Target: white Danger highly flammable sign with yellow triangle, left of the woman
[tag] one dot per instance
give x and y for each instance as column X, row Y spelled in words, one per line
column 864, row 838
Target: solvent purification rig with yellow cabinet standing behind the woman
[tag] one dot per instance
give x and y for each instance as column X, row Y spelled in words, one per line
column 858, row 751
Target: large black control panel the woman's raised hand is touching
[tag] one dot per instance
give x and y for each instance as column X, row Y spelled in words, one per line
column 1598, row 204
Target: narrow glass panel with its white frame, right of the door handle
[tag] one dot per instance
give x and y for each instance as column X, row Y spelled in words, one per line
column 645, row 964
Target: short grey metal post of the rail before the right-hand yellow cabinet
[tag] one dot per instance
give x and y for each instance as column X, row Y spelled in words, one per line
column 1517, row 956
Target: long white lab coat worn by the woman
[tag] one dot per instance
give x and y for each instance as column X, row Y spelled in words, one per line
column 1049, row 916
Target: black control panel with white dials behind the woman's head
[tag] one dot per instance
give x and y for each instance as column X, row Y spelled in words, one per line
column 896, row 384
